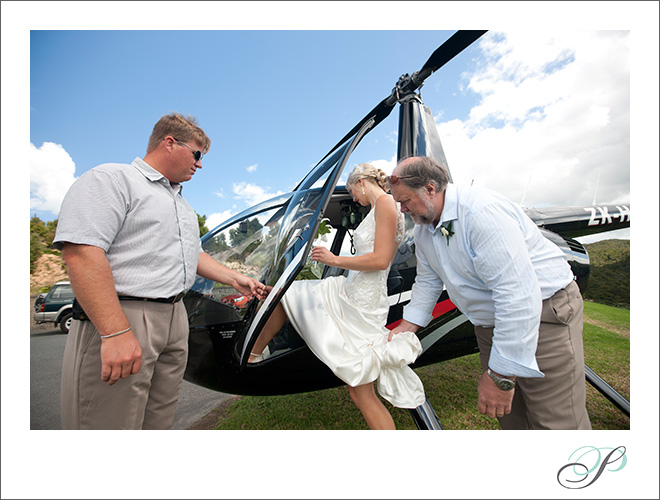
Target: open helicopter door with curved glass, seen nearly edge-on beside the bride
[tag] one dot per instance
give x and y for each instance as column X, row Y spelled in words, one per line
column 298, row 227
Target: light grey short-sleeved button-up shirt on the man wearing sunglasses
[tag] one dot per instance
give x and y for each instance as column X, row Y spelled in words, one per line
column 148, row 230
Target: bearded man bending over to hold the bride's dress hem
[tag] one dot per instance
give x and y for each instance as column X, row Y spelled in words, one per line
column 515, row 287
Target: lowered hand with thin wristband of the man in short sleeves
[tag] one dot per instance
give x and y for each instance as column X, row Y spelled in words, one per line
column 121, row 356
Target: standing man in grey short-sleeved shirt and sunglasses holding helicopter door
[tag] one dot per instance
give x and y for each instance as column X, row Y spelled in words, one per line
column 132, row 249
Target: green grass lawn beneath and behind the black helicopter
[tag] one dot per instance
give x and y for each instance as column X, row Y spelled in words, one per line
column 607, row 352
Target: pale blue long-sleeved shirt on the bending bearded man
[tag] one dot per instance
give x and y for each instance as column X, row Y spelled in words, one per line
column 497, row 268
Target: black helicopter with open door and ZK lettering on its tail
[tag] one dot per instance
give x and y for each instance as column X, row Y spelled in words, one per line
column 271, row 242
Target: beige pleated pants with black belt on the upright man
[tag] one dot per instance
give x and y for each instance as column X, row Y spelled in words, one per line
column 145, row 400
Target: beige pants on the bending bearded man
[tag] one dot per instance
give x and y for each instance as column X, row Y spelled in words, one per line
column 557, row 401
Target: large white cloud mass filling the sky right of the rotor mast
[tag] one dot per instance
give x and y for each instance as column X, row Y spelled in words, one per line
column 553, row 114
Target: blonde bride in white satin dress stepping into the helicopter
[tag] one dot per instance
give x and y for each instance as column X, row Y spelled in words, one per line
column 342, row 319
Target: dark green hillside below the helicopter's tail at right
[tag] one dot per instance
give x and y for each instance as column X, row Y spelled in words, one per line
column 609, row 279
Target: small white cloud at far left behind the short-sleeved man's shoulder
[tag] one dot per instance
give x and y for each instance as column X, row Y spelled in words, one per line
column 51, row 174
